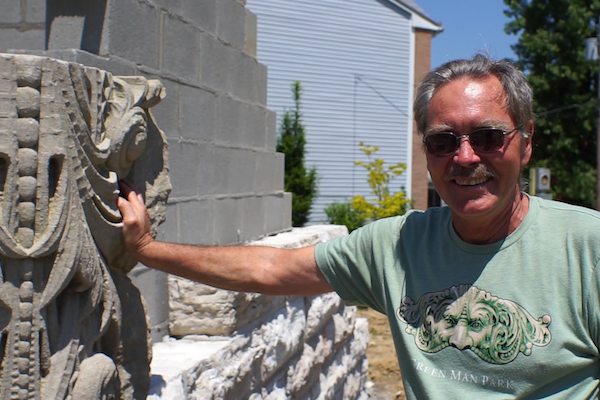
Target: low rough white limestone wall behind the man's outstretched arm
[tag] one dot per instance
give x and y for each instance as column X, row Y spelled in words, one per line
column 252, row 346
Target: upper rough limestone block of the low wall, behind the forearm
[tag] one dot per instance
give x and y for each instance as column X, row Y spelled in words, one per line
column 197, row 309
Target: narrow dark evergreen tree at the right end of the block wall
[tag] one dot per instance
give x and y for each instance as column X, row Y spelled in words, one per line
column 298, row 180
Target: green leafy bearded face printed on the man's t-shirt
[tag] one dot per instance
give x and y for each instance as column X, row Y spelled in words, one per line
column 465, row 317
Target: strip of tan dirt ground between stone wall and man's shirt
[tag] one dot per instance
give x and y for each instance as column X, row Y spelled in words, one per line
column 383, row 364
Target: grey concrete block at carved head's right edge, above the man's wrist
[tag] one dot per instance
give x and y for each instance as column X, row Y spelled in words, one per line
column 183, row 161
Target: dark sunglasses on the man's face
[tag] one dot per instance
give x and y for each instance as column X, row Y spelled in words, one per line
column 484, row 140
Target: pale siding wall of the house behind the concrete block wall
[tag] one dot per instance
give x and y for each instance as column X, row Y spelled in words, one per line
column 355, row 60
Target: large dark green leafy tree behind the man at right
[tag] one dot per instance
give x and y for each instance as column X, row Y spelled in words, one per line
column 551, row 50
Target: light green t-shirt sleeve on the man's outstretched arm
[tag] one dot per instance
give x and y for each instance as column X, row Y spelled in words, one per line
column 352, row 264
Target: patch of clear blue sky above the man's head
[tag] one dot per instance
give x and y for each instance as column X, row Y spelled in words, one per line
column 470, row 26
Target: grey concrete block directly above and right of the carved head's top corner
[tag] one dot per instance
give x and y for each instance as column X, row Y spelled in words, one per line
column 181, row 49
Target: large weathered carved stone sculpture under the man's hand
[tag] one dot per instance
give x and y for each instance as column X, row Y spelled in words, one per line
column 68, row 134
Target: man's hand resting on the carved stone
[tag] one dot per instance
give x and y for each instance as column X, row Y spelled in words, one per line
column 136, row 221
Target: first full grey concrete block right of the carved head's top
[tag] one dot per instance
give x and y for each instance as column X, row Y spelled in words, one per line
column 198, row 113
